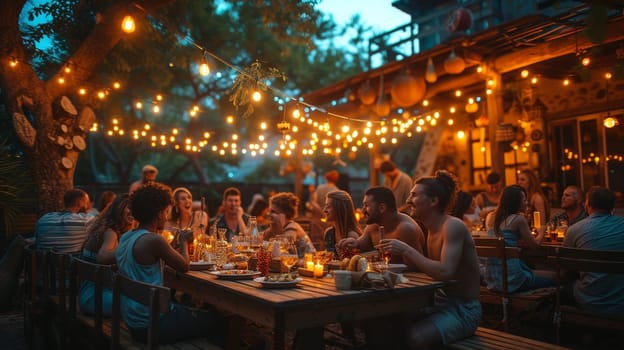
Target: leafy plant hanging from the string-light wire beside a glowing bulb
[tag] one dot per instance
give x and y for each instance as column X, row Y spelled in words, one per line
column 252, row 80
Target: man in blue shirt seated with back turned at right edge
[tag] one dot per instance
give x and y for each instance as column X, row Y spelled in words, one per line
column 598, row 292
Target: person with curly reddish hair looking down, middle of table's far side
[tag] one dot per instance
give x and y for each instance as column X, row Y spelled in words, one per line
column 282, row 212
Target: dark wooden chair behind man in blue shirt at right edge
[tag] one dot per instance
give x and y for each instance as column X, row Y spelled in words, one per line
column 586, row 260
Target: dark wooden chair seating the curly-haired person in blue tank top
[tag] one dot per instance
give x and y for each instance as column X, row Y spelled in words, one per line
column 158, row 300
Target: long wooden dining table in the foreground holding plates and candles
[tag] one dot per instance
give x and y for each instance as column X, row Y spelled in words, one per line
column 311, row 305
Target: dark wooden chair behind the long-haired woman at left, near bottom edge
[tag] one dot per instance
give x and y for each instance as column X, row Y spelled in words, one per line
column 102, row 277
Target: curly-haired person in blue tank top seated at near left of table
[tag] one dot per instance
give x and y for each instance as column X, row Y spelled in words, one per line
column 141, row 254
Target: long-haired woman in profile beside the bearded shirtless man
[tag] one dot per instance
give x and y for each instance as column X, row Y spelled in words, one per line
column 339, row 210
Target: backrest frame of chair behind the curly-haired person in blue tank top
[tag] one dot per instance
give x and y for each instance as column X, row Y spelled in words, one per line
column 156, row 298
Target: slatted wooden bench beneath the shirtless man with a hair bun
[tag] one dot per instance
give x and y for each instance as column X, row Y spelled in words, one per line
column 489, row 339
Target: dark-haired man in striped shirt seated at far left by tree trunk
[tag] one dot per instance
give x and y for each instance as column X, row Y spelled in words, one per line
column 65, row 230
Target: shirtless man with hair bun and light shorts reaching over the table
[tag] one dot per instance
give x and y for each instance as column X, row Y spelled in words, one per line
column 451, row 257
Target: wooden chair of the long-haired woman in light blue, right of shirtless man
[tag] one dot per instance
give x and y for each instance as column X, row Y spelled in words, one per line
column 494, row 247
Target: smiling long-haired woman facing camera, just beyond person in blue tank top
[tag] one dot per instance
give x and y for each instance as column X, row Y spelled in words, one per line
column 183, row 217
